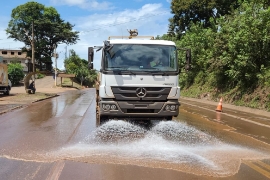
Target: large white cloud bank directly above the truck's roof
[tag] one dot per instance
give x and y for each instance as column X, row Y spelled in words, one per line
column 151, row 19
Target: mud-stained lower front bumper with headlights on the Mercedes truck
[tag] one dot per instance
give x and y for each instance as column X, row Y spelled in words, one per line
column 138, row 110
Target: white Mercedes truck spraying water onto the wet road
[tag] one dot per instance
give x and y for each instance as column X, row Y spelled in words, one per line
column 138, row 79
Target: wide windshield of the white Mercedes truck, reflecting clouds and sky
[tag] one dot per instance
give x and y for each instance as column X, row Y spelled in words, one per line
column 138, row 57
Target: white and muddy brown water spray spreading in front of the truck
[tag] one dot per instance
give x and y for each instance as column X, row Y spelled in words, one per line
column 171, row 145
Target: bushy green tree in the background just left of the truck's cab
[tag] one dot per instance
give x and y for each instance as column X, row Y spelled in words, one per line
column 75, row 65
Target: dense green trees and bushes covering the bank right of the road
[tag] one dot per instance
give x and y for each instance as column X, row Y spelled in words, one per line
column 230, row 45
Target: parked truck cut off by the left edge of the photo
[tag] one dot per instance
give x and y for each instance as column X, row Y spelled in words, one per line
column 5, row 84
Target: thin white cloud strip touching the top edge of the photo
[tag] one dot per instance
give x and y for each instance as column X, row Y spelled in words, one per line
column 84, row 4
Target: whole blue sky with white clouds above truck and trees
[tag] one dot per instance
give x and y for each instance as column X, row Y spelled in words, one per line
column 96, row 20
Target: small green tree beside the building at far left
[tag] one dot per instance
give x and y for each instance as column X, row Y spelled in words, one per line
column 15, row 73
